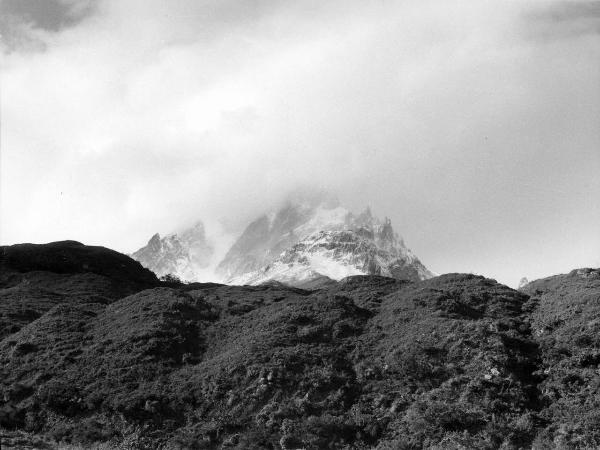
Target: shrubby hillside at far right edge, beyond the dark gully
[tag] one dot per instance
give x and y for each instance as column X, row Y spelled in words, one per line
column 566, row 324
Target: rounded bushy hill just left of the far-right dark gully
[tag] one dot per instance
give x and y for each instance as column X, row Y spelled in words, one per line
column 454, row 362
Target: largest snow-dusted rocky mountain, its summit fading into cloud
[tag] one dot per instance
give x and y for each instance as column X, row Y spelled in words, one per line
column 318, row 238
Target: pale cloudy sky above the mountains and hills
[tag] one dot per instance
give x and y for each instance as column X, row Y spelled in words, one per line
column 474, row 125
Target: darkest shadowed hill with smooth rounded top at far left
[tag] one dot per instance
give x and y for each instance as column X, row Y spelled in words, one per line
column 34, row 278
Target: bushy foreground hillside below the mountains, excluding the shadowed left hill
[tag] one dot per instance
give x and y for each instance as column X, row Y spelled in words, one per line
column 368, row 362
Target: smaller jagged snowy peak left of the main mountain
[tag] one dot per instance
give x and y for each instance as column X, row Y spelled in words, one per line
column 184, row 254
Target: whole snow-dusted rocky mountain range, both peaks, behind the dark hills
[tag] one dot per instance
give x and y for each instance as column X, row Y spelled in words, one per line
column 312, row 239
